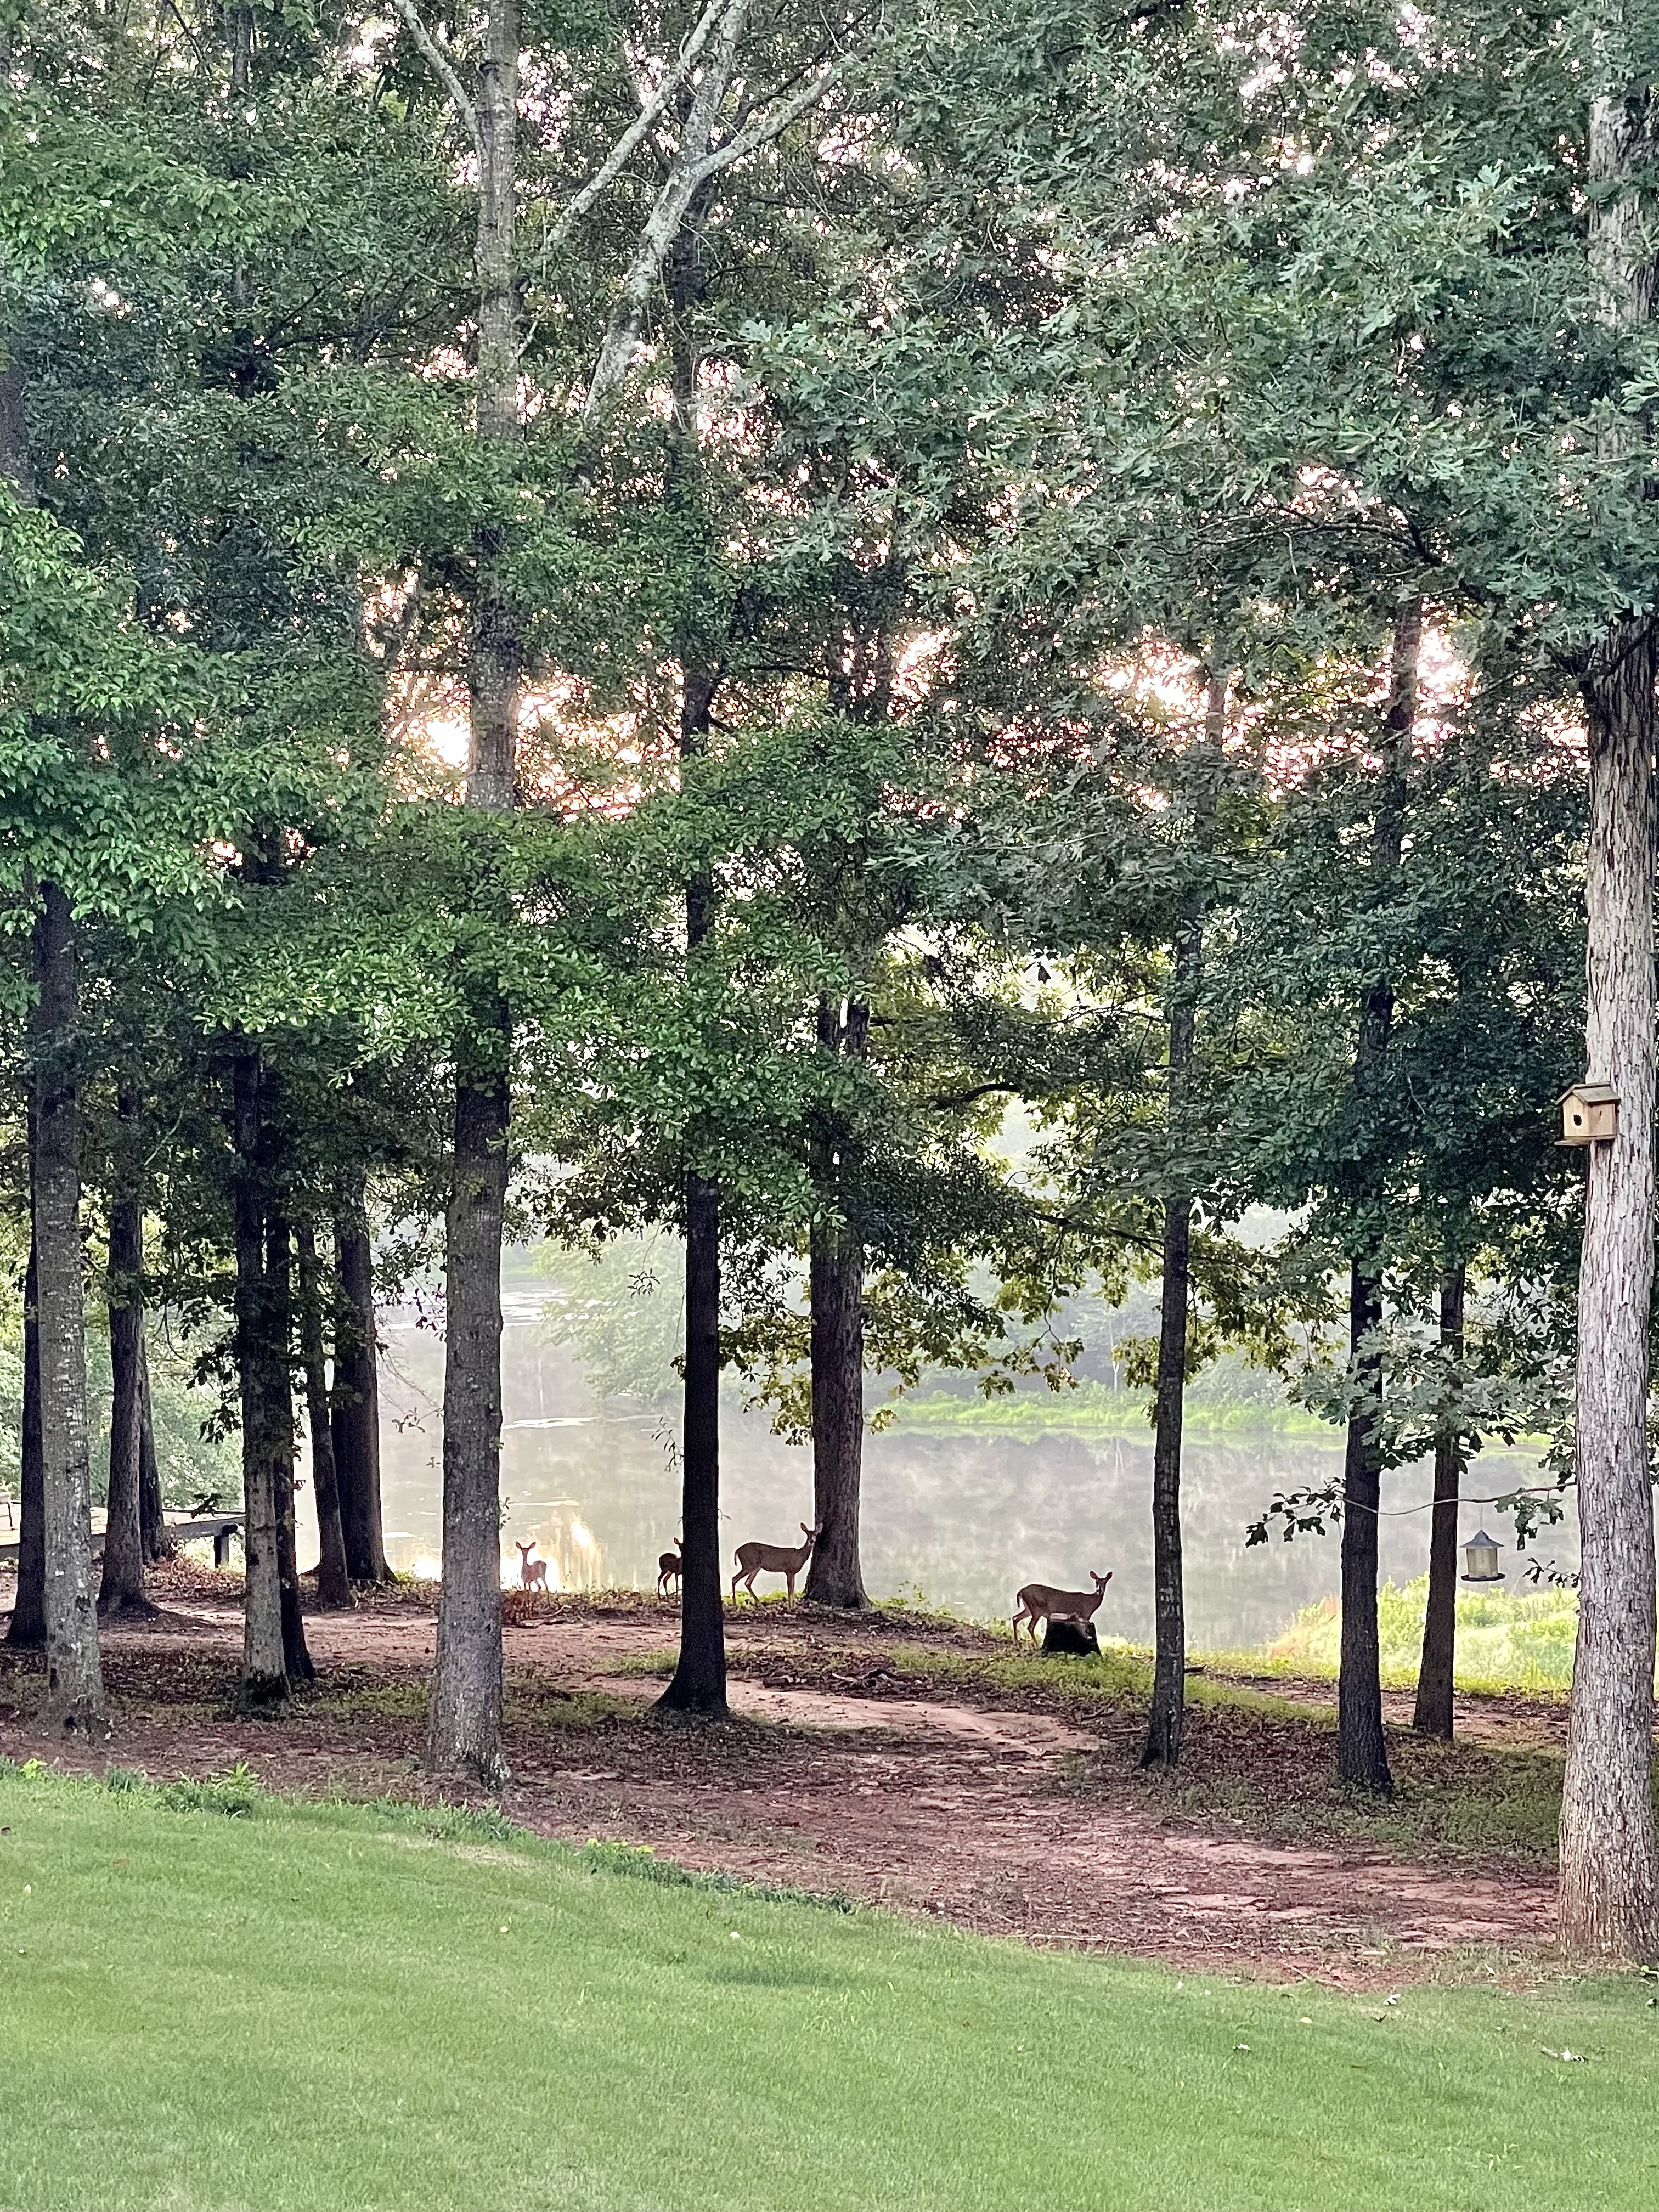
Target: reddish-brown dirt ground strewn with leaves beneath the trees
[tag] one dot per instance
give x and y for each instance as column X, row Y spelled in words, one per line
column 997, row 1811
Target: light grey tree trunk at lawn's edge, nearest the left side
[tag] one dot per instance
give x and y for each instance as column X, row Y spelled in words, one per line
column 74, row 1678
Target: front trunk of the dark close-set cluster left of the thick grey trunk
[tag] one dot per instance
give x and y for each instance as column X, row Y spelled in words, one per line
column 264, row 1662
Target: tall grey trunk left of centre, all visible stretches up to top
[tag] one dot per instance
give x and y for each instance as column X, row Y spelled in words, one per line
column 468, row 1678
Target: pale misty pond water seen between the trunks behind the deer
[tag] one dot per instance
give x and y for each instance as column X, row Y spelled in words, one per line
column 959, row 1519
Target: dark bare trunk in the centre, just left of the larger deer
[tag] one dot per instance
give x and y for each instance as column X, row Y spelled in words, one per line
column 700, row 1678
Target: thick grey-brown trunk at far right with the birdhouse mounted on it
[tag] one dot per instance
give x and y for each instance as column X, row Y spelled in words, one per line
column 1609, row 1879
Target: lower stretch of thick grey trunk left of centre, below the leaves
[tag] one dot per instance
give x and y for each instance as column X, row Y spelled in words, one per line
column 468, row 1680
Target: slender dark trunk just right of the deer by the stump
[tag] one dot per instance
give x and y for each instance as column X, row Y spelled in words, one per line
column 1167, row 1718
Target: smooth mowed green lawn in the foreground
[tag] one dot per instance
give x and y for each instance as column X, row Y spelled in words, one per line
column 222, row 2001
